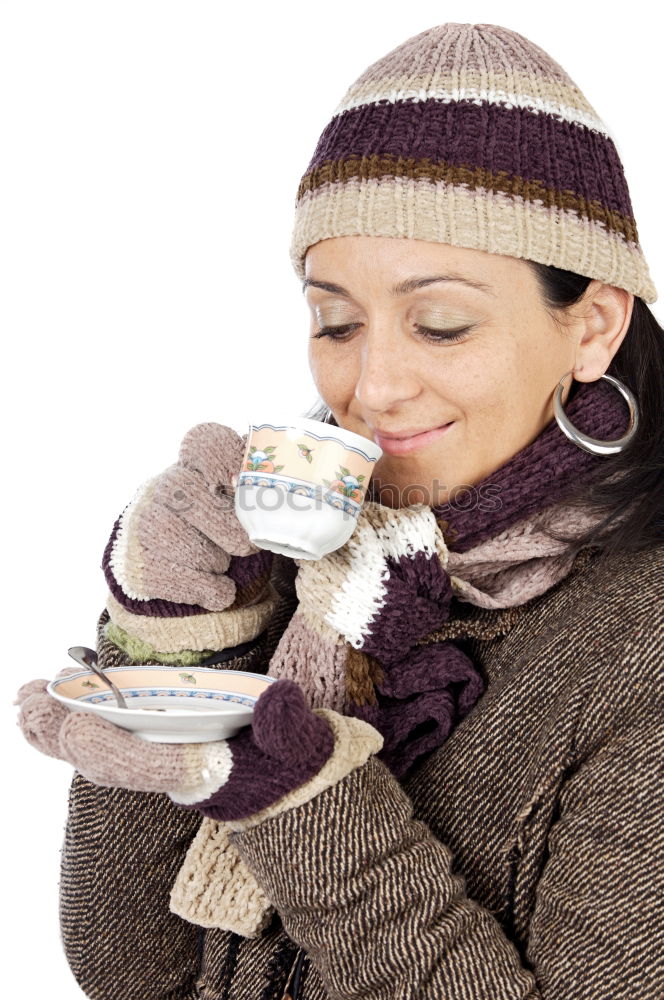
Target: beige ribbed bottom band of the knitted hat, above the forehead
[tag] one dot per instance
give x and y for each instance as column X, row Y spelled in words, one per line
column 489, row 221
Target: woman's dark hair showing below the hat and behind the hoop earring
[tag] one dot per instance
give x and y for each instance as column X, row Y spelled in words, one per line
column 634, row 476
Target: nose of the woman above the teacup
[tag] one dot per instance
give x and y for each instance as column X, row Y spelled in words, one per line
column 387, row 377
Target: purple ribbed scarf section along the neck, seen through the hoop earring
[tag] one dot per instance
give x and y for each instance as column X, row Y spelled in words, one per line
column 543, row 473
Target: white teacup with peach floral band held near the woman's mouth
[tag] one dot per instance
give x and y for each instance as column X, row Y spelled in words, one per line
column 302, row 485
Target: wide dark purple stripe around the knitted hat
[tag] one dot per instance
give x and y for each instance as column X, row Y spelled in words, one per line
column 560, row 155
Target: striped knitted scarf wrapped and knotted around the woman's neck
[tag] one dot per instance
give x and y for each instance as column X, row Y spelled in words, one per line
column 373, row 653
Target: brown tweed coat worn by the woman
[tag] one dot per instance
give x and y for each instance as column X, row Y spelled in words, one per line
column 524, row 858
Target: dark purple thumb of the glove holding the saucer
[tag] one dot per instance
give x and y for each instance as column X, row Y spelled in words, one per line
column 285, row 727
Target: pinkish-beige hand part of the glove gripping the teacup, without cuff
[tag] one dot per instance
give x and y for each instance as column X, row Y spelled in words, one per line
column 175, row 540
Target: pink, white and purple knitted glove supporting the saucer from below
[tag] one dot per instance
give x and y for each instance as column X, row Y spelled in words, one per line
column 286, row 746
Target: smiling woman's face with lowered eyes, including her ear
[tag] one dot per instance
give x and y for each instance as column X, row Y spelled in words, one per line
column 489, row 374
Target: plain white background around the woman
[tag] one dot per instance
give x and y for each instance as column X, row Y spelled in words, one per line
column 151, row 152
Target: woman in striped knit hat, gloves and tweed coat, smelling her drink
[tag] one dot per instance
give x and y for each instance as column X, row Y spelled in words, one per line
column 472, row 806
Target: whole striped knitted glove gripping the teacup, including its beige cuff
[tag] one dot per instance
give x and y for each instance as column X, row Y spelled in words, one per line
column 186, row 586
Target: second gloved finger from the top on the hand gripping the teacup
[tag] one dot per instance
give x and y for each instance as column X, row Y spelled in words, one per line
column 209, row 509
